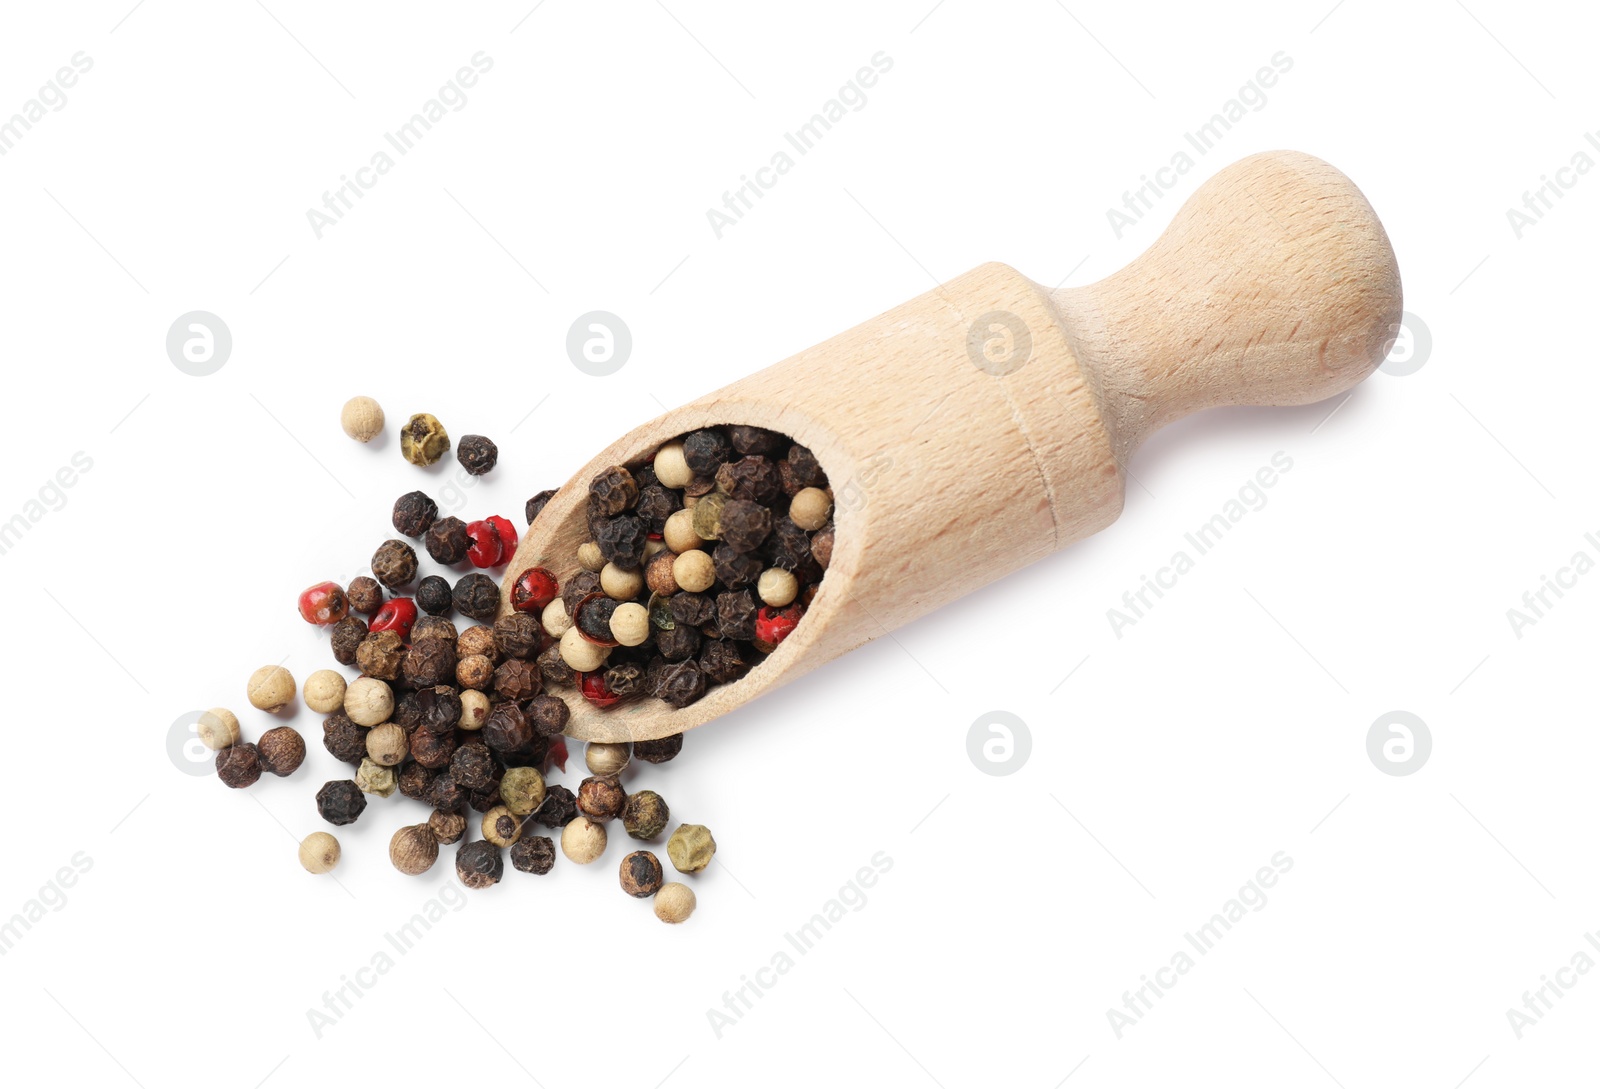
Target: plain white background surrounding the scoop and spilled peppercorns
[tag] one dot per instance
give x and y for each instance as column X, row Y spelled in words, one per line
column 1228, row 725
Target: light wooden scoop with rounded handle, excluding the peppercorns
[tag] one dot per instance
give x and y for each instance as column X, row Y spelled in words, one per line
column 986, row 425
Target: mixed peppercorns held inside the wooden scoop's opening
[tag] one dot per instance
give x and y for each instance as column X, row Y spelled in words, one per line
column 700, row 565
